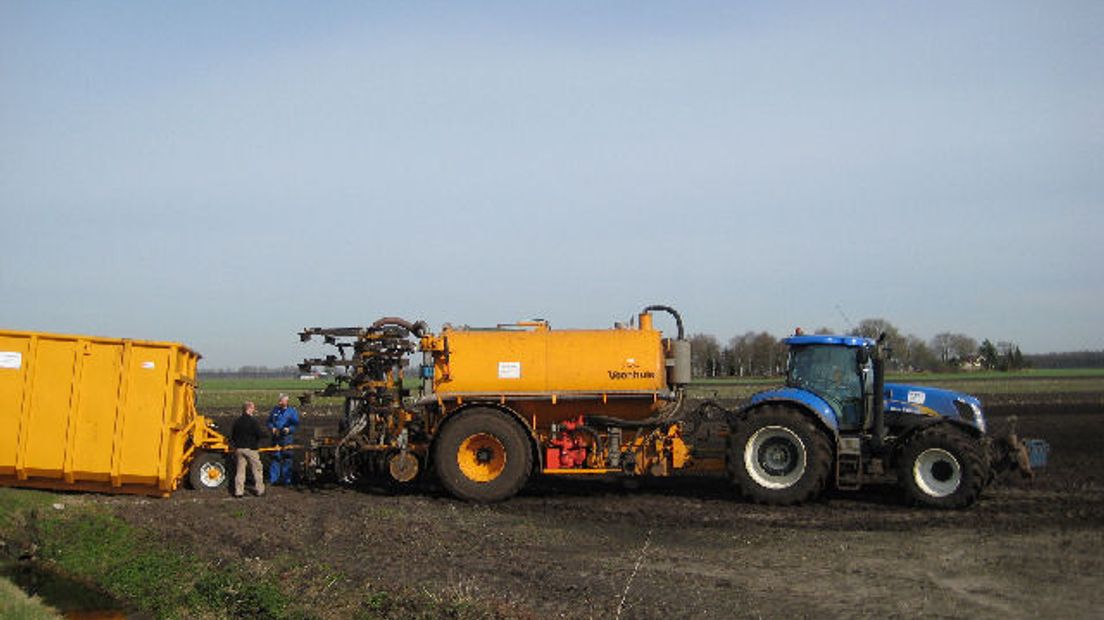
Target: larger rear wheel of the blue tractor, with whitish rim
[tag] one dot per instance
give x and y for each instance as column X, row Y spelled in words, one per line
column 779, row 456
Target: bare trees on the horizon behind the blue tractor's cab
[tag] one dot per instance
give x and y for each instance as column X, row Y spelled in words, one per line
column 762, row 355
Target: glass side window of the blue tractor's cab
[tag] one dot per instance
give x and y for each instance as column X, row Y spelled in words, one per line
column 832, row 373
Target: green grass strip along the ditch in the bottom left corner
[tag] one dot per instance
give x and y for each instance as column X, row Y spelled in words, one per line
column 88, row 546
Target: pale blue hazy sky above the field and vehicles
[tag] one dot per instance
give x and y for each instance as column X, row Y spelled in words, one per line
column 225, row 174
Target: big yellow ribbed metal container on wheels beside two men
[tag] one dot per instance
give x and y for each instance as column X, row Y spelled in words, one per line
column 102, row 414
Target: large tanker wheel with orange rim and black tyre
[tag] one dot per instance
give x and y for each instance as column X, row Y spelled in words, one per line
column 483, row 456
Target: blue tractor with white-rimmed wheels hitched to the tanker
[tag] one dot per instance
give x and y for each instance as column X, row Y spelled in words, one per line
column 837, row 422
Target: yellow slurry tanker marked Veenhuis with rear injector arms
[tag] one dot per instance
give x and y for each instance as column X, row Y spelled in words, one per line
column 498, row 404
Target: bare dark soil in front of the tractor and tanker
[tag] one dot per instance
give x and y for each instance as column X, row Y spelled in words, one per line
column 685, row 548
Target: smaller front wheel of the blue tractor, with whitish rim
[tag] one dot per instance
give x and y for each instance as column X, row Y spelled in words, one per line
column 943, row 467
